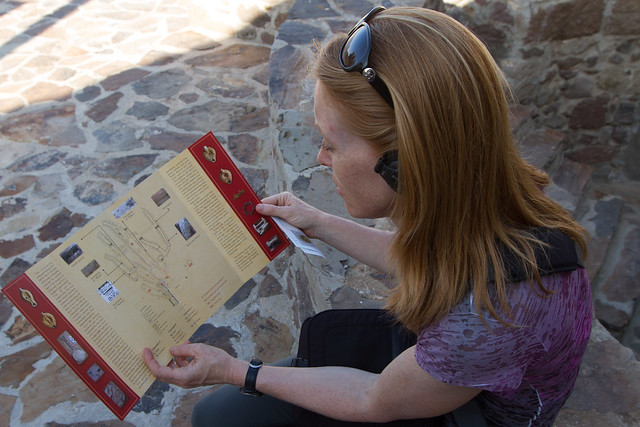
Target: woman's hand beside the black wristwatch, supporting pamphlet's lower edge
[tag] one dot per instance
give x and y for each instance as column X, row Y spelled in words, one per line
column 193, row 365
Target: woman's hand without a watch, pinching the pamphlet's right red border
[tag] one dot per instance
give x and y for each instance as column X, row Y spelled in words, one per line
column 293, row 210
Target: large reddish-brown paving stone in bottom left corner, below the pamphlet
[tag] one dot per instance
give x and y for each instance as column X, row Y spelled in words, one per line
column 54, row 385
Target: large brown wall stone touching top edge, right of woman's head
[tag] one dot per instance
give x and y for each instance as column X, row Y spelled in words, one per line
column 565, row 21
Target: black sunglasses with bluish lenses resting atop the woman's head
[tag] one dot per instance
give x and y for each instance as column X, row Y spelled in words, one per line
column 354, row 54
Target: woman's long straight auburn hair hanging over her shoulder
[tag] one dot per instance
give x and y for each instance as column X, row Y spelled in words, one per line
column 464, row 189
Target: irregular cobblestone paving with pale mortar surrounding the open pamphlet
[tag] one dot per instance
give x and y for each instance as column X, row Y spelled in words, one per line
column 96, row 94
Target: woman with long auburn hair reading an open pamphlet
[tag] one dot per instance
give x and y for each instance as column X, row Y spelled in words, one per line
column 415, row 126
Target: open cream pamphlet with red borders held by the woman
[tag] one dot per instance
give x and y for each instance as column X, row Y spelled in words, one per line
column 148, row 271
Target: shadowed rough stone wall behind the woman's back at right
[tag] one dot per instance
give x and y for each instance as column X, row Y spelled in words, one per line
column 575, row 70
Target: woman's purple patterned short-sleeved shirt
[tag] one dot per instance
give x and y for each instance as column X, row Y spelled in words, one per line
column 527, row 372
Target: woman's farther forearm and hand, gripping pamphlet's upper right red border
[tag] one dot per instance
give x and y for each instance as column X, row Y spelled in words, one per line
column 366, row 244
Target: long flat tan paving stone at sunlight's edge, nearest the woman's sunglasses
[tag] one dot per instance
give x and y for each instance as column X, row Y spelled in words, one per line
column 237, row 55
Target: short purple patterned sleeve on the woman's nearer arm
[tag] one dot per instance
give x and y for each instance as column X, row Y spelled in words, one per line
column 461, row 350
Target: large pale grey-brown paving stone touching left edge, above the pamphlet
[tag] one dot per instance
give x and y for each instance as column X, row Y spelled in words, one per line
column 52, row 125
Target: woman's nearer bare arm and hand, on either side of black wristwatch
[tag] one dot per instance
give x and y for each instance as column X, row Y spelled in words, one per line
column 402, row 391
